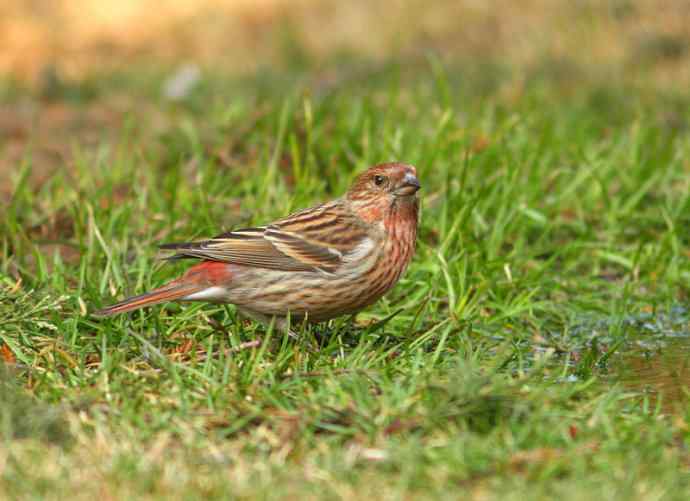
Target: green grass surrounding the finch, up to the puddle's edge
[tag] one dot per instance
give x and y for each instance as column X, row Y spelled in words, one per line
column 550, row 204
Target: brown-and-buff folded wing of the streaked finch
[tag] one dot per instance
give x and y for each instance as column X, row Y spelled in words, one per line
column 316, row 238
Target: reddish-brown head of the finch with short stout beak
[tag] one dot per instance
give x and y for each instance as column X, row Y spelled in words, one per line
column 385, row 189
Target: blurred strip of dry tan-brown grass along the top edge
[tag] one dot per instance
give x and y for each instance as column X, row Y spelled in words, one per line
column 241, row 34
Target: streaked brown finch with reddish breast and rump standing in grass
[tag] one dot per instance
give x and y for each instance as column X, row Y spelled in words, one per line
column 316, row 264
